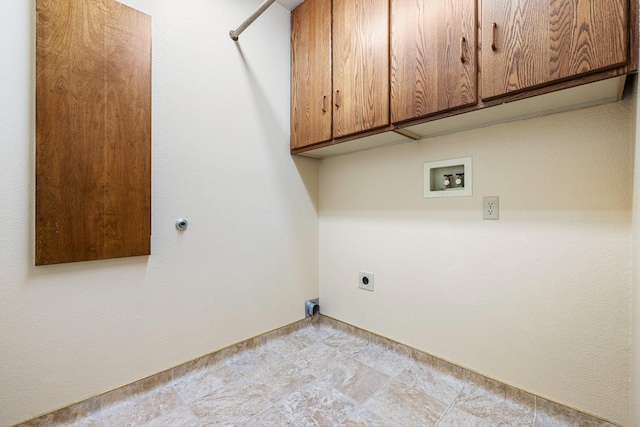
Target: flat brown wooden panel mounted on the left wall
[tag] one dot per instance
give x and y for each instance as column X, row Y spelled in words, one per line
column 93, row 131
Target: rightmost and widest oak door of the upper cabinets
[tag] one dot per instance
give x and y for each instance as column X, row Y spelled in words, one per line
column 527, row 43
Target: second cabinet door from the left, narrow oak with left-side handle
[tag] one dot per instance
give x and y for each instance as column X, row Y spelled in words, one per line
column 360, row 65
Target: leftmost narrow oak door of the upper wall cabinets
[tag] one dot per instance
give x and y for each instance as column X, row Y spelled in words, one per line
column 311, row 73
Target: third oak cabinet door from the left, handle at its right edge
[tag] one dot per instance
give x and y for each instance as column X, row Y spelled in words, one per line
column 433, row 56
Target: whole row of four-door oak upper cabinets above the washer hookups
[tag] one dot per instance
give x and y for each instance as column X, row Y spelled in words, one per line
column 434, row 59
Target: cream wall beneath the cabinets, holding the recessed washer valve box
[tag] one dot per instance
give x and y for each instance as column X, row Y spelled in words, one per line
column 539, row 299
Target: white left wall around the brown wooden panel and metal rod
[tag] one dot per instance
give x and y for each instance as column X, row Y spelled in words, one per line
column 246, row 264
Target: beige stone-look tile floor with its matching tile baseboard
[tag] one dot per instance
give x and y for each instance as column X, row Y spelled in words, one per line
column 317, row 372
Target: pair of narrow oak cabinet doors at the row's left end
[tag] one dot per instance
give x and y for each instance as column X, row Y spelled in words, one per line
column 339, row 69
